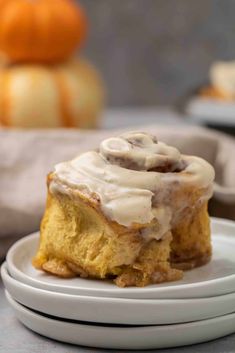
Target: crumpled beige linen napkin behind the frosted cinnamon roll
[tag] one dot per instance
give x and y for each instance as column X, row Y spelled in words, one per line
column 26, row 157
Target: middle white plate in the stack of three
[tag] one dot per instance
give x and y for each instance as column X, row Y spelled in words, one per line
column 118, row 310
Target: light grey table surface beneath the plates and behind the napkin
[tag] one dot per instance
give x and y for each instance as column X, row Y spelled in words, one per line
column 15, row 338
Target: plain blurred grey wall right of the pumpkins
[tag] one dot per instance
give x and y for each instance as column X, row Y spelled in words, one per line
column 154, row 51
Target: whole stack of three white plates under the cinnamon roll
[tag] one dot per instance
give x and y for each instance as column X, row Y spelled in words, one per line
column 199, row 308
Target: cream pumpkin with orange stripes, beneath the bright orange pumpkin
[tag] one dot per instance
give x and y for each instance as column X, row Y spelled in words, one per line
column 39, row 96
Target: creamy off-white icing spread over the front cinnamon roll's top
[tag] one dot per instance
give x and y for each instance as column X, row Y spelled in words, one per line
column 134, row 177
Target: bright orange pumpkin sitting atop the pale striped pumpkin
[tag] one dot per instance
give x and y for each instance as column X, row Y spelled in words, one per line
column 40, row 30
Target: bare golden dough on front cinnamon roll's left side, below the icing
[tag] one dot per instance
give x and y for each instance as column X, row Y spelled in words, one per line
column 76, row 239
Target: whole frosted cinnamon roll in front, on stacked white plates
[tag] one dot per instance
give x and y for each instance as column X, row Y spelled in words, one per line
column 134, row 211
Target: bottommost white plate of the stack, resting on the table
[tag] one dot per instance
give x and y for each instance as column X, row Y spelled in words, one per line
column 148, row 337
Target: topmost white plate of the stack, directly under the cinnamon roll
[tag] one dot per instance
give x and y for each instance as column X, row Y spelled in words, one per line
column 215, row 278
